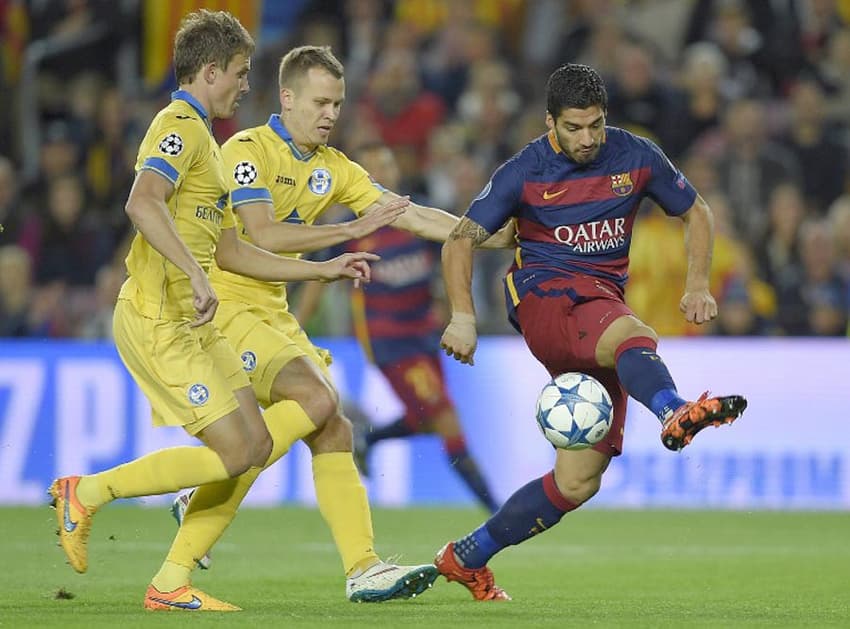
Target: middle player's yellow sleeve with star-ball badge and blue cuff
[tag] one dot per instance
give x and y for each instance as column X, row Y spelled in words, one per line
column 246, row 171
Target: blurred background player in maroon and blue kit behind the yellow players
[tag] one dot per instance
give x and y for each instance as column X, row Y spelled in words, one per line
column 399, row 330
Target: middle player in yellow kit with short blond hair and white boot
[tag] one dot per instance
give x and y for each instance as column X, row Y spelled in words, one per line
column 284, row 172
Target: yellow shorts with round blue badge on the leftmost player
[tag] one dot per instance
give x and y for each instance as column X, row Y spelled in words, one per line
column 188, row 374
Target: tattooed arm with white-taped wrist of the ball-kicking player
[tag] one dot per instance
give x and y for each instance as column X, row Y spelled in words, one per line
column 460, row 338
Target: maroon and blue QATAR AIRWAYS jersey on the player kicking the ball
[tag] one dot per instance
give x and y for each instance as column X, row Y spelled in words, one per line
column 576, row 219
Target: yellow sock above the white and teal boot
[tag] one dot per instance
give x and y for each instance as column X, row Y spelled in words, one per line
column 345, row 507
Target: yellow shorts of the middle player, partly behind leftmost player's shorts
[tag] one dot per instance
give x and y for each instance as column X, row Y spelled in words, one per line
column 266, row 341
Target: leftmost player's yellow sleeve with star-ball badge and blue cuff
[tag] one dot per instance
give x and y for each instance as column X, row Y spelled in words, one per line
column 172, row 145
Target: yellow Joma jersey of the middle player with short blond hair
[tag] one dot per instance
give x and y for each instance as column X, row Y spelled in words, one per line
column 265, row 166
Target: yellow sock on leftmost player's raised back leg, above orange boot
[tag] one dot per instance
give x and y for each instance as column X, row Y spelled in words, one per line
column 160, row 472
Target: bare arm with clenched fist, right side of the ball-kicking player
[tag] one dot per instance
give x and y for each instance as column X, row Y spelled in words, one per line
column 697, row 303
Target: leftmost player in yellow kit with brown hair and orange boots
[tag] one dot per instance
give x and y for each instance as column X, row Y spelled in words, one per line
column 180, row 205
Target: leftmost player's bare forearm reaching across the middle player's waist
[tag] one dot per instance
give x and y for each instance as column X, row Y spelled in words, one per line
column 238, row 256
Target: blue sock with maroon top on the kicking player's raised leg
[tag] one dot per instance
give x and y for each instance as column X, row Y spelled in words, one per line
column 646, row 378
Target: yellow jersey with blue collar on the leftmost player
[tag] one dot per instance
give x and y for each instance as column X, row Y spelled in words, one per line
column 179, row 146
